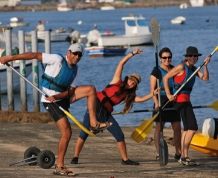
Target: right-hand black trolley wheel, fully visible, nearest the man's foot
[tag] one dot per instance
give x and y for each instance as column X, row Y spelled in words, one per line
column 46, row 159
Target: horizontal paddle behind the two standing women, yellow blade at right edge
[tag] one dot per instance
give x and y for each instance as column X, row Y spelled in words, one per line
column 213, row 105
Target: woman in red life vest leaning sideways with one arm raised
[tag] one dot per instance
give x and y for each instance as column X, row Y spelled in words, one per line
column 116, row 92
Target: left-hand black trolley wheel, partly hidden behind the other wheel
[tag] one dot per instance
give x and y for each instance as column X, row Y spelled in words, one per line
column 31, row 152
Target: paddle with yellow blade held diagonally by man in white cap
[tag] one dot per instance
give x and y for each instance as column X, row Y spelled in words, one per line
column 62, row 109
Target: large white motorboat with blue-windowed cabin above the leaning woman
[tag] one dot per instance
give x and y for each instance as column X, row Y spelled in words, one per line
column 137, row 32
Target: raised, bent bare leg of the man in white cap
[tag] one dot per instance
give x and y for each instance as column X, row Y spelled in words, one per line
column 90, row 93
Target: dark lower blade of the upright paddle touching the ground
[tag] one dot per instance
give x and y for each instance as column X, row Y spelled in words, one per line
column 163, row 152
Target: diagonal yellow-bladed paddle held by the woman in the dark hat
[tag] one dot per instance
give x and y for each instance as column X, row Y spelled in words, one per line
column 138, row 133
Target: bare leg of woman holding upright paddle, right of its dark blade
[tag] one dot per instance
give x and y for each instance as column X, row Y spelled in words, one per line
column 176, row 126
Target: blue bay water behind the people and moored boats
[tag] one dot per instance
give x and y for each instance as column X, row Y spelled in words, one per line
column 200, row 30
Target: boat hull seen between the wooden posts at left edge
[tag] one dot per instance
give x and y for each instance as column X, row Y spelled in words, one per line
column 16, row 78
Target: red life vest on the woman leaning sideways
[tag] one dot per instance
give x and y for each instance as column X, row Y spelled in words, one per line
column 109, row 98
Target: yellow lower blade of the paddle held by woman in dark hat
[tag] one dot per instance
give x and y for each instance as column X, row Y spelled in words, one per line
column 142, row 131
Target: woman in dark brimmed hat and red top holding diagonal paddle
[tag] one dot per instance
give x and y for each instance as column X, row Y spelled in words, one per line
column 181, row 73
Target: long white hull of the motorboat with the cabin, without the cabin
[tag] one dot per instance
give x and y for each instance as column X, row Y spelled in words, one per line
column 124, row 40
